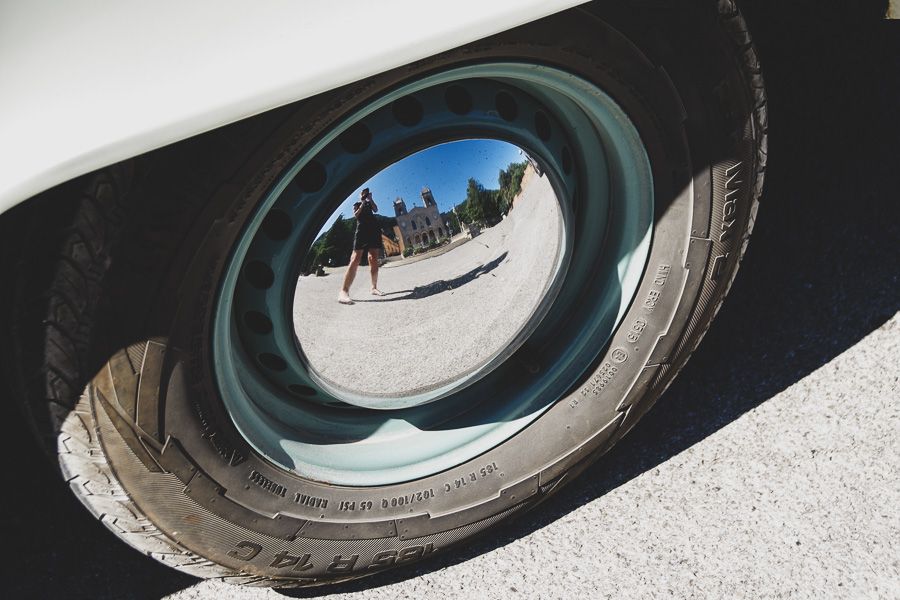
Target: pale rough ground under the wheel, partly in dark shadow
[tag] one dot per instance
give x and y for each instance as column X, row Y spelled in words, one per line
column 770, row 468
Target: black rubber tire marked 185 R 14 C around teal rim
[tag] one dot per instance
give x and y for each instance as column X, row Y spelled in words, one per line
column 112, row 328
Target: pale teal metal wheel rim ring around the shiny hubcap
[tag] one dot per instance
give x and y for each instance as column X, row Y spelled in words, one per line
column 600, row 172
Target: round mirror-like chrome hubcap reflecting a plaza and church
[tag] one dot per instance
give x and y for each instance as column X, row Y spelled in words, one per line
column 452, row 306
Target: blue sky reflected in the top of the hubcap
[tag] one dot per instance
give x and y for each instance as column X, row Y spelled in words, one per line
column 445, row 169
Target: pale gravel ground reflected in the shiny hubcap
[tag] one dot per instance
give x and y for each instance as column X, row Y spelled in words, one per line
column 441, row 317
